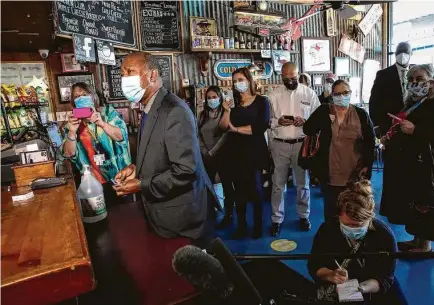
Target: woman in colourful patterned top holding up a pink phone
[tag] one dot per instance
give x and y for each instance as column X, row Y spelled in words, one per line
column 100, row 141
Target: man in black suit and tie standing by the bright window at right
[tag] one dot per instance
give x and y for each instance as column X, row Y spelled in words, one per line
column 388, row 91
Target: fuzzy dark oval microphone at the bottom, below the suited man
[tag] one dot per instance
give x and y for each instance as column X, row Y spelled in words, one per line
column 203, row 271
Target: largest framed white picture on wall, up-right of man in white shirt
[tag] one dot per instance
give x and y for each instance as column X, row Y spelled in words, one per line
column 316, row 55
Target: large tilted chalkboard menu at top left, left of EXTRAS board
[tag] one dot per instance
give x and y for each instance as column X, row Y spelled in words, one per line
column 108, row 20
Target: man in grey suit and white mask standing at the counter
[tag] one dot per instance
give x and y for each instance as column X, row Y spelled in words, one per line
column 177, row 193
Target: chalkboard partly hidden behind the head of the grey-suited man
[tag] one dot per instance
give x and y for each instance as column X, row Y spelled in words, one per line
column 113, row 74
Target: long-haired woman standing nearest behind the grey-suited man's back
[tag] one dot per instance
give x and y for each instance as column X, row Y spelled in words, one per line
column 211, row 140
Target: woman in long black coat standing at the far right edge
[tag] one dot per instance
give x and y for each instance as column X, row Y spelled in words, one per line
column 408, row 193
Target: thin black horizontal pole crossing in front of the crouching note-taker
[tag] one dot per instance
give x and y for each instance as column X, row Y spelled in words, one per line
column 381, row 254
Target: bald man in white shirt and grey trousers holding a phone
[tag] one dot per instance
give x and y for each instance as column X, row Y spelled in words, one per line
column 291, row 106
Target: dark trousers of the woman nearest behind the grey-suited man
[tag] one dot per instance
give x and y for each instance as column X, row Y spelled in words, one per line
column 215, row 166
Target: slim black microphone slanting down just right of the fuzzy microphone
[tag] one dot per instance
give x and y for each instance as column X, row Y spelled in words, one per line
column 243, row 285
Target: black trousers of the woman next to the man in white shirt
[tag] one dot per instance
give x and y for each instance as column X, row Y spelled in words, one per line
column 248, row 187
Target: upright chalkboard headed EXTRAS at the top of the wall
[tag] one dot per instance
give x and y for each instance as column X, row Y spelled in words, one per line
column 160, row 25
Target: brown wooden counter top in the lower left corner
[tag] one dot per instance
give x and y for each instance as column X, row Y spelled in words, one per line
column 44, row 254
